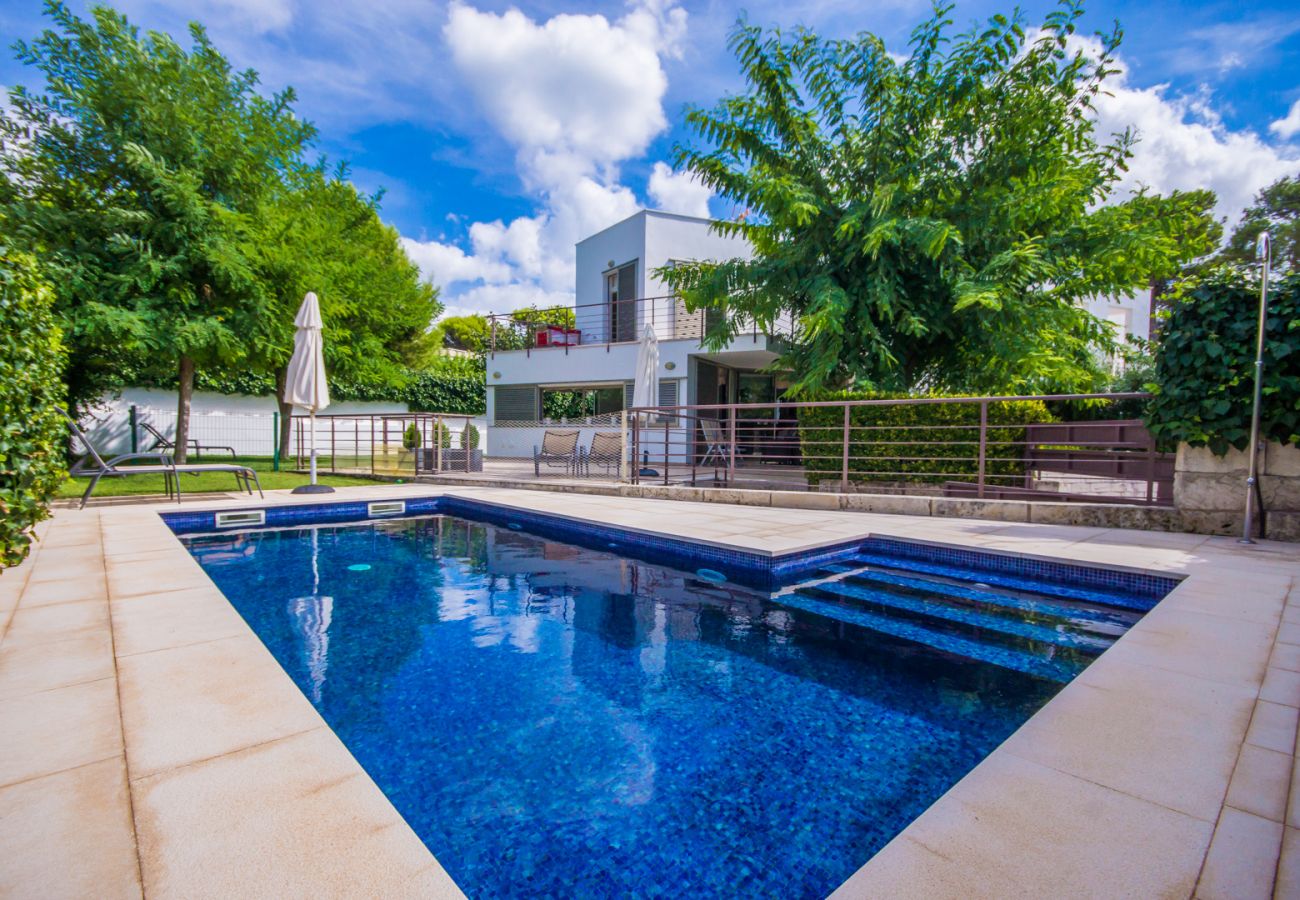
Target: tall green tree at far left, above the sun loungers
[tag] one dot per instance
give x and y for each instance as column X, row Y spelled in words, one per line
column 135, row 176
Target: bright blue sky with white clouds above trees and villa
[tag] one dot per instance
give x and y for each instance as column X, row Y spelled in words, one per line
column 504, row 133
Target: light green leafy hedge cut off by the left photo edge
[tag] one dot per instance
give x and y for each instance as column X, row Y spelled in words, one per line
column 33, row 435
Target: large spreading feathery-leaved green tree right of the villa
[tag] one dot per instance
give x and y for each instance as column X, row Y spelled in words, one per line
column 934, row 222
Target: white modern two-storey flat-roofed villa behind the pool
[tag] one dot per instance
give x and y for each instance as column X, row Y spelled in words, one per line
column 617, row 293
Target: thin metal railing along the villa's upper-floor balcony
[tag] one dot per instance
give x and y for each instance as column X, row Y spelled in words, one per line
column 613, row 322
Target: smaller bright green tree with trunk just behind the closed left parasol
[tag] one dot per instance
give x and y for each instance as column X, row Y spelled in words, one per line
column 322, row 235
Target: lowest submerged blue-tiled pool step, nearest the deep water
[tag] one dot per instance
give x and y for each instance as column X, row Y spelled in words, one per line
column 1061, row 668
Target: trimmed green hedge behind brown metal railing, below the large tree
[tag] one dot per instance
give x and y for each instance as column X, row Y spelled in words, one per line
column 904, row 431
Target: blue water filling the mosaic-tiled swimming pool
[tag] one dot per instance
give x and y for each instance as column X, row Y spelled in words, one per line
column 560, row 721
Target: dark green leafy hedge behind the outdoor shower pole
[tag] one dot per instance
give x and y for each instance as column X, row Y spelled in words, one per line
column 1206, row 365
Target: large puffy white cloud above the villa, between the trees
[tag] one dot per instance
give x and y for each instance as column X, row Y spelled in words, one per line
column 575, row 97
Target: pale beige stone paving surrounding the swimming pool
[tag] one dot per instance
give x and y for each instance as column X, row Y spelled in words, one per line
column 150, row 745
